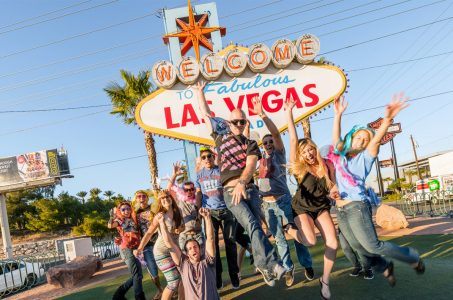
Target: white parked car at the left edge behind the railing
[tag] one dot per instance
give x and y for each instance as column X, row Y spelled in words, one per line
column 16, row 274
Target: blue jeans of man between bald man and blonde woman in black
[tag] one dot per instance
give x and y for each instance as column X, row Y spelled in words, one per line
column 278, row 214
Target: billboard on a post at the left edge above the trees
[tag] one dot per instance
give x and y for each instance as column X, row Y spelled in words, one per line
column 30, row 167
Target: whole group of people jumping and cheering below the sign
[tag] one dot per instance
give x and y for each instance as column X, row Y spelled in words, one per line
column 238, row 188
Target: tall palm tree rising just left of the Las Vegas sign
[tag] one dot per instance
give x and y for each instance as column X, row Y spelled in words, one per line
column 124, row 99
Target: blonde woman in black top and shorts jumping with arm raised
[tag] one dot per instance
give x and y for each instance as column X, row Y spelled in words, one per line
column 311, row 203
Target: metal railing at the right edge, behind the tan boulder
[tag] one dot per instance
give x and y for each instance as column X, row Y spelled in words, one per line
column 433, row 204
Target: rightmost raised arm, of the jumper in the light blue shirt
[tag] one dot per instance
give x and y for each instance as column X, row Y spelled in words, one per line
column 399, row 102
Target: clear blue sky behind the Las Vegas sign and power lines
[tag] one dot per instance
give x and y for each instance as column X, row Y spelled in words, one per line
column 44, row 65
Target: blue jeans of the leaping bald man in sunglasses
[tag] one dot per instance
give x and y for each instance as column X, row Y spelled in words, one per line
column 247, row 213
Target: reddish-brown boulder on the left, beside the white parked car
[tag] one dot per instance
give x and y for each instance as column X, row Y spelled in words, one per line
column 69, row 274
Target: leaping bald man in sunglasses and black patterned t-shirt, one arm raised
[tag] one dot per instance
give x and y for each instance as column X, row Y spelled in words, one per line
column 238, row 159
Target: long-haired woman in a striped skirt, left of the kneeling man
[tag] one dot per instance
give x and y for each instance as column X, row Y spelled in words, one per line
column 173, row 220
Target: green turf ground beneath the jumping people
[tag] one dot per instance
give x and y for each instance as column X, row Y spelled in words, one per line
column 436, row 283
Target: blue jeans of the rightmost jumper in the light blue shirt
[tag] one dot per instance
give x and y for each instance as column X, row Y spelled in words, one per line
column 356, row 223
